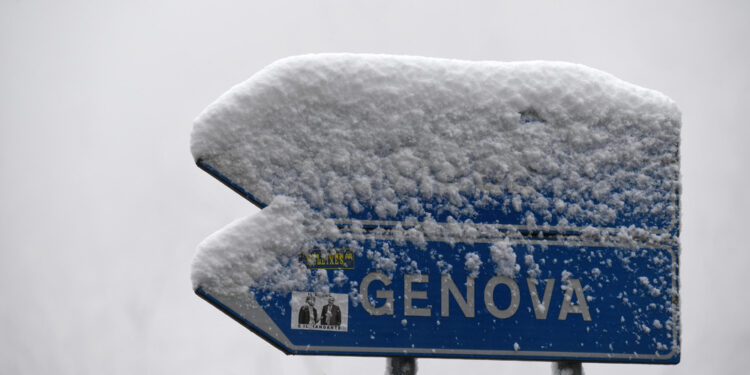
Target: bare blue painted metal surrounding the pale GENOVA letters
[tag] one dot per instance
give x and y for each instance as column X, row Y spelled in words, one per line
column 630, row 291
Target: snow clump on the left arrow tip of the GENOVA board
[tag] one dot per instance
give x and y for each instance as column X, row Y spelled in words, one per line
column 250, row 252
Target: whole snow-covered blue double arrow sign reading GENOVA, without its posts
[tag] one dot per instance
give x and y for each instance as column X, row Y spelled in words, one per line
column 439, row 208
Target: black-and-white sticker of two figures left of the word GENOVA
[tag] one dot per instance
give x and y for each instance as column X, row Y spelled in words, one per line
column 320, row 311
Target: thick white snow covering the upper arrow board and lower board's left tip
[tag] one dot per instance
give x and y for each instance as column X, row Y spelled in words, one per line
column 329, row 136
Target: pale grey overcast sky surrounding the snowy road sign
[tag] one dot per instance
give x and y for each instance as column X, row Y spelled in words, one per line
column 101, row 206
